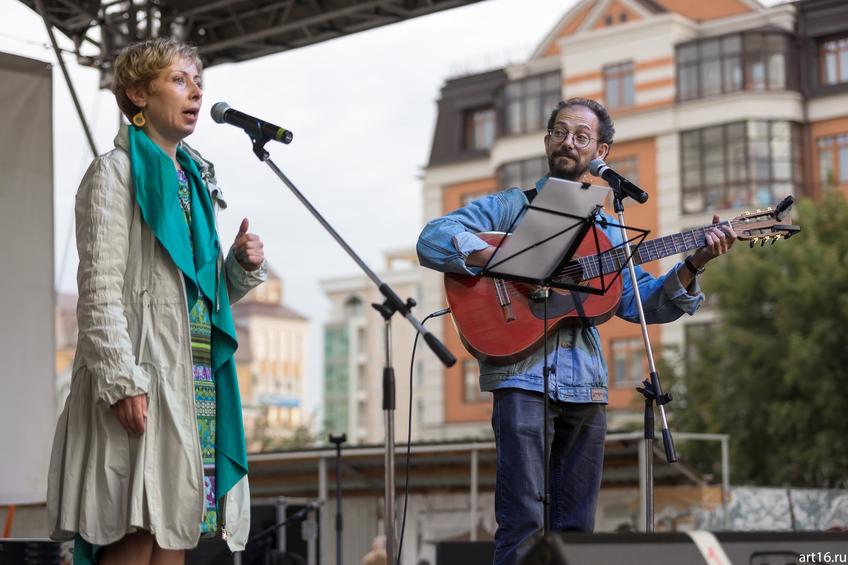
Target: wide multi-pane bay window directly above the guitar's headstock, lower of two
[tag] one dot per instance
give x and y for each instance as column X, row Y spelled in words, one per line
column 739, row 164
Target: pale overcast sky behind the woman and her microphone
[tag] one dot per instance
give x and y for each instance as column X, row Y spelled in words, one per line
column 362, row 109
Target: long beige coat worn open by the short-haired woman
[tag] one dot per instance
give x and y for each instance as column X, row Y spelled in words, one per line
column 134, row 338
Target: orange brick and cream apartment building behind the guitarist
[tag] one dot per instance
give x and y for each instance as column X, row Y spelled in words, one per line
column 719, row 107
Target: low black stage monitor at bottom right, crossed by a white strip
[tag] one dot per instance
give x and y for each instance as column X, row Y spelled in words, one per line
column 742, row 548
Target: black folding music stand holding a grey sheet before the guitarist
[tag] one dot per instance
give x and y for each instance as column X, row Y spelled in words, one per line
column 541, row 252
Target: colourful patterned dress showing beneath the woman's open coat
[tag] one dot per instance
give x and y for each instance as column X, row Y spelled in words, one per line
column 204, row 382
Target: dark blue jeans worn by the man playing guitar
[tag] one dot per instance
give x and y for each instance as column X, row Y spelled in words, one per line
column 576, row 432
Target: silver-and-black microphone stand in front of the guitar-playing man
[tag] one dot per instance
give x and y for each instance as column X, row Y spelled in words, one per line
column 651, row 388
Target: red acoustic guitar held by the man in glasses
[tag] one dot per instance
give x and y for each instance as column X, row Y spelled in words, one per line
column 499, row 323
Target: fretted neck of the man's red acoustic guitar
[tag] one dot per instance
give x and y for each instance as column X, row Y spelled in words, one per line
column 651, row 250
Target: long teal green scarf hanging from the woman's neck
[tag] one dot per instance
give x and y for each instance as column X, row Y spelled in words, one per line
column 156, row 187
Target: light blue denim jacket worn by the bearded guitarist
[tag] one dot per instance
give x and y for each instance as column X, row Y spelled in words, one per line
column 575, row 353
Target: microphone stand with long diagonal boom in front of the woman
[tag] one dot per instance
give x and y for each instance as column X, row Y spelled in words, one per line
column 393, row 303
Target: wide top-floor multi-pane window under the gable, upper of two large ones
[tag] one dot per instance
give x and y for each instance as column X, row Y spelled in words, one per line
column 719, row 65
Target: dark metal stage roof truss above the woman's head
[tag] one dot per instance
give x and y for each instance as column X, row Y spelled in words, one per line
column 225, row 31
